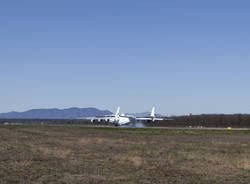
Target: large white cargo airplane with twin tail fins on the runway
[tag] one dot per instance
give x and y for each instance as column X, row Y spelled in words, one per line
column 123, row 119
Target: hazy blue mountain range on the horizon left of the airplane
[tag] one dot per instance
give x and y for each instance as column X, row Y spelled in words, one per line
column 70, row 113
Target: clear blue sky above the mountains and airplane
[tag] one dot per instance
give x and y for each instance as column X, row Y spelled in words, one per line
column 177, row 55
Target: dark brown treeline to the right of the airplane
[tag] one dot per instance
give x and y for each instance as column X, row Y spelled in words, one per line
column 208, row 120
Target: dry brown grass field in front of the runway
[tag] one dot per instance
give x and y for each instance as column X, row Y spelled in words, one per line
column 68, row 154
